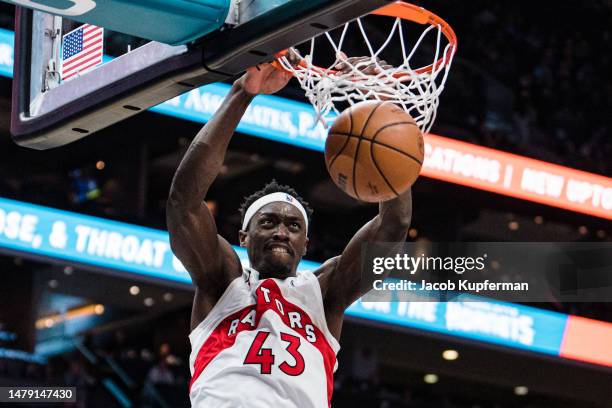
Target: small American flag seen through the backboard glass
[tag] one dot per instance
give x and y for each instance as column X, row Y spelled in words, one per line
column 82, row 50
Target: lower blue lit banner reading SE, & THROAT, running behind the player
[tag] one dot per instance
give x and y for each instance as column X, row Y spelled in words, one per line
column 146, row 252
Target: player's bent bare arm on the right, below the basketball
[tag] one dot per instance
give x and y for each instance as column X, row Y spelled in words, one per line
column 341, row 278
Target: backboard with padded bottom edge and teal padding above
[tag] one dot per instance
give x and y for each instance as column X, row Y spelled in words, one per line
column 181, row 55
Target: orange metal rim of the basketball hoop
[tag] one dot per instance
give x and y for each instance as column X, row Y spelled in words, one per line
column 408, row 12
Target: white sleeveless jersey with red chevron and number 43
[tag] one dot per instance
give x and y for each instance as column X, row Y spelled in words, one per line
column 264, row 344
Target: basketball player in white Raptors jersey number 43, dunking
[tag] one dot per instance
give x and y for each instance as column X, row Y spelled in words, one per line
column 264, row 336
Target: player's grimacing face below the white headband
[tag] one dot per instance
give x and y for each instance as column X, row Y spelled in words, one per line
column 276, row 240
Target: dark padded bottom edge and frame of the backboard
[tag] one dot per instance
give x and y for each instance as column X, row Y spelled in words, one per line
column 156, row 72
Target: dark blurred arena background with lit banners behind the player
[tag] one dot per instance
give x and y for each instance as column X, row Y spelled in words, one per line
column 530, row 78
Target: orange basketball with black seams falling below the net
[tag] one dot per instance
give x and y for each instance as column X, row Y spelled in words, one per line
column 374, row 151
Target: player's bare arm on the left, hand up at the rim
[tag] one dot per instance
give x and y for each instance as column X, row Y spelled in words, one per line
column 209, row 258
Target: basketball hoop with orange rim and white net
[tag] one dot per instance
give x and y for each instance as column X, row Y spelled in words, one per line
column 417, row 90
